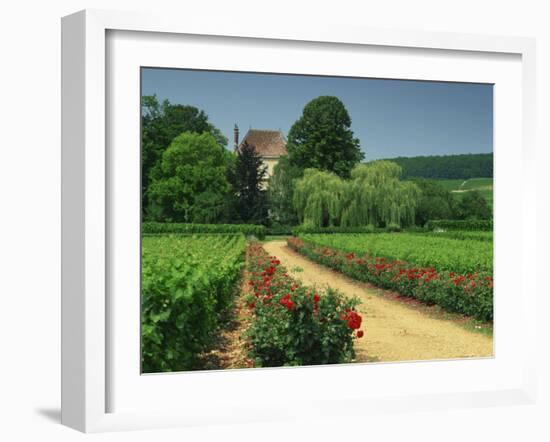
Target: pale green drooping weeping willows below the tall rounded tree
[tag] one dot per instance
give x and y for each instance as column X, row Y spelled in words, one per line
column 375, row 195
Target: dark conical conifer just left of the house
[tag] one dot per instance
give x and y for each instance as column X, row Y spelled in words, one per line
column 247, row 177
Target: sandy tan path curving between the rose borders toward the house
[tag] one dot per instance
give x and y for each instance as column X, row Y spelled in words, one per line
column 393, row 330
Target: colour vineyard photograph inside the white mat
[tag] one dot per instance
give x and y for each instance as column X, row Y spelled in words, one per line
column 301, row 220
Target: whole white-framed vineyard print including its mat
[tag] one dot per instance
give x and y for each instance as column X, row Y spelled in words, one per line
column 291, row 222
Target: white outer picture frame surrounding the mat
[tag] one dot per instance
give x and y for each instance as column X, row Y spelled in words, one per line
column 86, row 205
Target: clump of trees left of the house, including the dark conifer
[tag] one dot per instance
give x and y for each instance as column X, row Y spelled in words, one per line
column 189, row 176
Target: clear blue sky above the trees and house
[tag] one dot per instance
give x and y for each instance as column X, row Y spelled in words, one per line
column 390, row 117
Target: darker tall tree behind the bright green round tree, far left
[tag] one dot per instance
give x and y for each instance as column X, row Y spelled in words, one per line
column 160, row 124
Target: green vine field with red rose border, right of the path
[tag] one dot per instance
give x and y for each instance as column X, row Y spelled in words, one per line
column 454, row 274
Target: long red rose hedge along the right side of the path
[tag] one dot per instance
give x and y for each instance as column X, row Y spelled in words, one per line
column 470, row 294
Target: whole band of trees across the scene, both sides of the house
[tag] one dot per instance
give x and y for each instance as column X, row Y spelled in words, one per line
column 189, row 176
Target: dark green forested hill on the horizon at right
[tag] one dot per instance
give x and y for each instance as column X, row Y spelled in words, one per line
column 448, row 166
